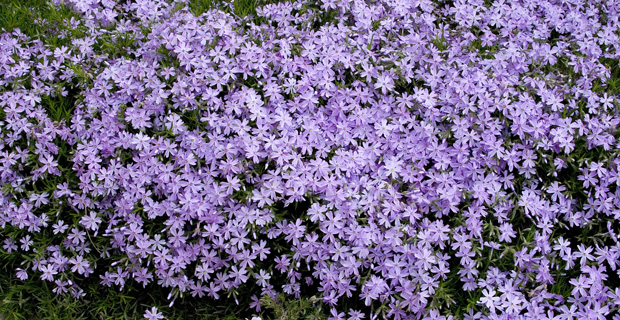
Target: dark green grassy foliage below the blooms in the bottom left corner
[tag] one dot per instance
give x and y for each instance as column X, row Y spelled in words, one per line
column 34, row 299
